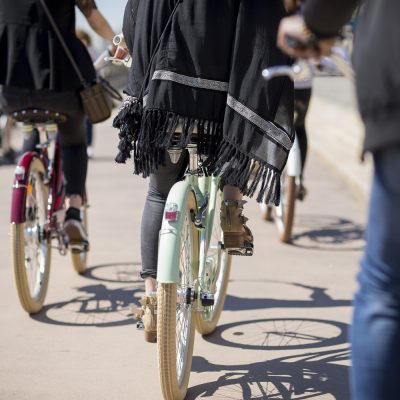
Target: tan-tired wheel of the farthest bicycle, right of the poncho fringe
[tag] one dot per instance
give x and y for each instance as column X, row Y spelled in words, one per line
column 285, row 218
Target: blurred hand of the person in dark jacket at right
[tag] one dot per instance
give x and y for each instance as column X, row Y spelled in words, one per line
column 296, row 40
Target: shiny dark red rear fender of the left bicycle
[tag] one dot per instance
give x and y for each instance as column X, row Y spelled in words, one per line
column 19, row 188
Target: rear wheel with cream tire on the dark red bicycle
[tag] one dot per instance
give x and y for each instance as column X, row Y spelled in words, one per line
column 31, row 250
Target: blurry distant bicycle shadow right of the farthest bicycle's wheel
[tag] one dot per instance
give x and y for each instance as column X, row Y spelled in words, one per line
column 325, row 232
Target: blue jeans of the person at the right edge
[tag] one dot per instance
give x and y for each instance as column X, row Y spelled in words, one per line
column 375, row 332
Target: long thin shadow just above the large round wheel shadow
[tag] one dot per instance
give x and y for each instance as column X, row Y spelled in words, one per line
column 318, row 299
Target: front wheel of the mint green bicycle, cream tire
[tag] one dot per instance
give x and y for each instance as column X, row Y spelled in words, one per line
column 207, row 321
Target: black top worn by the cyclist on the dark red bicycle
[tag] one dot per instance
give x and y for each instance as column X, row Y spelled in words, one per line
column 31, row 56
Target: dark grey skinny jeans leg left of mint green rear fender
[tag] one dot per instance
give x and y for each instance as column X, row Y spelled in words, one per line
column 161, row 182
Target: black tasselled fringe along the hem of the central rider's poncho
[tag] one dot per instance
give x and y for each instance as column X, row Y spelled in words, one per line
column 147, row 134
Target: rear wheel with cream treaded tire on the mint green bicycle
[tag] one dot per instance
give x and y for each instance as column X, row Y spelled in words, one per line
column 175, row 348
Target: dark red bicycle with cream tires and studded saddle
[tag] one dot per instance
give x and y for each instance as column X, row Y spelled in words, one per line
column 38, row 211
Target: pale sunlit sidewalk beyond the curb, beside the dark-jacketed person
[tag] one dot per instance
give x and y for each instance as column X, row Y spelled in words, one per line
column 336, row 131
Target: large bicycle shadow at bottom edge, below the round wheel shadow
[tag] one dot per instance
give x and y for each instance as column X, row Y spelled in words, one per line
column 305, row 376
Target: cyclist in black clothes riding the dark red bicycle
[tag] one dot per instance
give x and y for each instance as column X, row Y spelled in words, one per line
column 35, row 73
